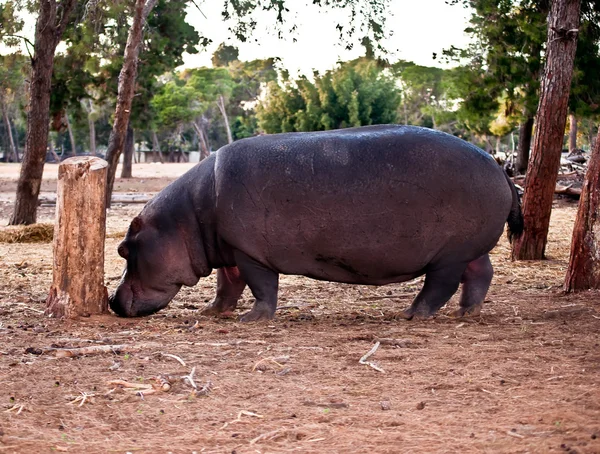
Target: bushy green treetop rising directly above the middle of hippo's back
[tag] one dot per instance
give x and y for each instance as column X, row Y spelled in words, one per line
column 356, row 93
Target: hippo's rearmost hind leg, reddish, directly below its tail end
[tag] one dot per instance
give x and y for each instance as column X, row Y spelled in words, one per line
column 476, row 281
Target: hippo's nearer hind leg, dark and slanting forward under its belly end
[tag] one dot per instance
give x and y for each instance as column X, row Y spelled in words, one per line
column 440, row 285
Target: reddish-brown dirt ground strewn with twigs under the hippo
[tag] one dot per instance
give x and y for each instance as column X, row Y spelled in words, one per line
column 523, row 377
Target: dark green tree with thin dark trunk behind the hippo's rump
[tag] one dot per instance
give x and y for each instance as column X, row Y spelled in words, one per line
column 507, row 48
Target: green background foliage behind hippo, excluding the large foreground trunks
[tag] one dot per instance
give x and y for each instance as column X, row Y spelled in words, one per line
column 489, row 98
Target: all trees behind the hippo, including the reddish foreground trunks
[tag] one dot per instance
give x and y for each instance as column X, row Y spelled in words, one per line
column 523, row 54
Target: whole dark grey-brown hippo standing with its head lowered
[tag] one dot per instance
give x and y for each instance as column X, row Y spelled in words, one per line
column 371, row 205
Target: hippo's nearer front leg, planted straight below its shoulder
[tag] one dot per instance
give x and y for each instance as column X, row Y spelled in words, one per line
column 263, row 283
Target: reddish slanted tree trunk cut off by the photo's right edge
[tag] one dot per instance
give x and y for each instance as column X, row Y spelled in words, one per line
column 584, row 263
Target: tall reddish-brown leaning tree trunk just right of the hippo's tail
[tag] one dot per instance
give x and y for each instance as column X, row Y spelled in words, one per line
column 563, row 23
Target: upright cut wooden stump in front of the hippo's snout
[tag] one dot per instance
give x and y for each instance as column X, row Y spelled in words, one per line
column 80, row 228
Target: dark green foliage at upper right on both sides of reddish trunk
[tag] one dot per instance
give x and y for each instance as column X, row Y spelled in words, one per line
column 505, row 61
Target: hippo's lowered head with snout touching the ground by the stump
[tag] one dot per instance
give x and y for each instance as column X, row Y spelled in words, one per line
column 158, row 264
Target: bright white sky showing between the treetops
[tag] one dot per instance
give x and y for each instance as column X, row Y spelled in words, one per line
column 420, row 28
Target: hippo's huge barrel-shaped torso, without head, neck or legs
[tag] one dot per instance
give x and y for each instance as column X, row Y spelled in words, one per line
column 371, row 204
